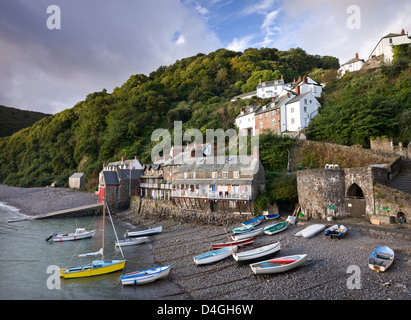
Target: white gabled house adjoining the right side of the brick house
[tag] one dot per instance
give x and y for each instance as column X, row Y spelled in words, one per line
column 297, row 112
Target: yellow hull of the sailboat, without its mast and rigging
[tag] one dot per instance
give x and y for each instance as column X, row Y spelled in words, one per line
column 108, row 266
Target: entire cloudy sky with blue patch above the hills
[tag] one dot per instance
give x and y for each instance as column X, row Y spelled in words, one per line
column 51, row 58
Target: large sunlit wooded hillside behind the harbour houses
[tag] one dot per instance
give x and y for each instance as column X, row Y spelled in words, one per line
column 106, row 126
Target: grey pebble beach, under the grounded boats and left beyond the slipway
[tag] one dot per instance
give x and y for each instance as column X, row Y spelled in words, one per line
column 326, row 275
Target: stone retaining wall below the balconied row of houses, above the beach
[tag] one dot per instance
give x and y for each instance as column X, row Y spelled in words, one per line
column 164, row 210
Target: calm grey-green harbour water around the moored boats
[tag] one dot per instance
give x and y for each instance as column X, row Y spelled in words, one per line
column 25, row 257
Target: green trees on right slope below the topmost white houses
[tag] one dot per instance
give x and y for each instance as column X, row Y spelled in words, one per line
column 368, row 104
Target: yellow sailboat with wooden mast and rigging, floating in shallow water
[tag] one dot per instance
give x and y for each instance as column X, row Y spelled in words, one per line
column 96, row 267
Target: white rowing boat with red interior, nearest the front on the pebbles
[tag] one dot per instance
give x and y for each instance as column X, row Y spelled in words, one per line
column 279, row 264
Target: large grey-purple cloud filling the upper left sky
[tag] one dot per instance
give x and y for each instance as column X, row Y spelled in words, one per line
column 100, row 45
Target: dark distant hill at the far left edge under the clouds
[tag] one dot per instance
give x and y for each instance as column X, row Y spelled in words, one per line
column 13, row 120
